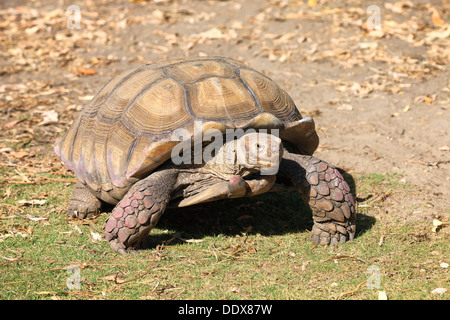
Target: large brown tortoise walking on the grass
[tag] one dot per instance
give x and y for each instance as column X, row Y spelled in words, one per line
column 130, row 146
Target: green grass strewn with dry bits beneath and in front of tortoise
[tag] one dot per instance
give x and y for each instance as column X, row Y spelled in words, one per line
column 253, row 248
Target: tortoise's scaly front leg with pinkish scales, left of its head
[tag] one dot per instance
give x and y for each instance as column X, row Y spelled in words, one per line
column 139, row 211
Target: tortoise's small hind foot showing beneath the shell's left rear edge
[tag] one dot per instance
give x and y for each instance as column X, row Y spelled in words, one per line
column 83, row 203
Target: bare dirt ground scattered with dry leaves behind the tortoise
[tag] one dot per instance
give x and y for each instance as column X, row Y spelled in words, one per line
column 380, row 97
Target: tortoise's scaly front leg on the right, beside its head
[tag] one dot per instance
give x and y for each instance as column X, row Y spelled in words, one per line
column 323, row 188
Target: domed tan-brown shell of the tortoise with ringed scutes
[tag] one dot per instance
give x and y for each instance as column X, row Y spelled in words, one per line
column 124, row 132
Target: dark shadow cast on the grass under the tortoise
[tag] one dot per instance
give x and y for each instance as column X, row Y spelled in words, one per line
column 267, row 214
